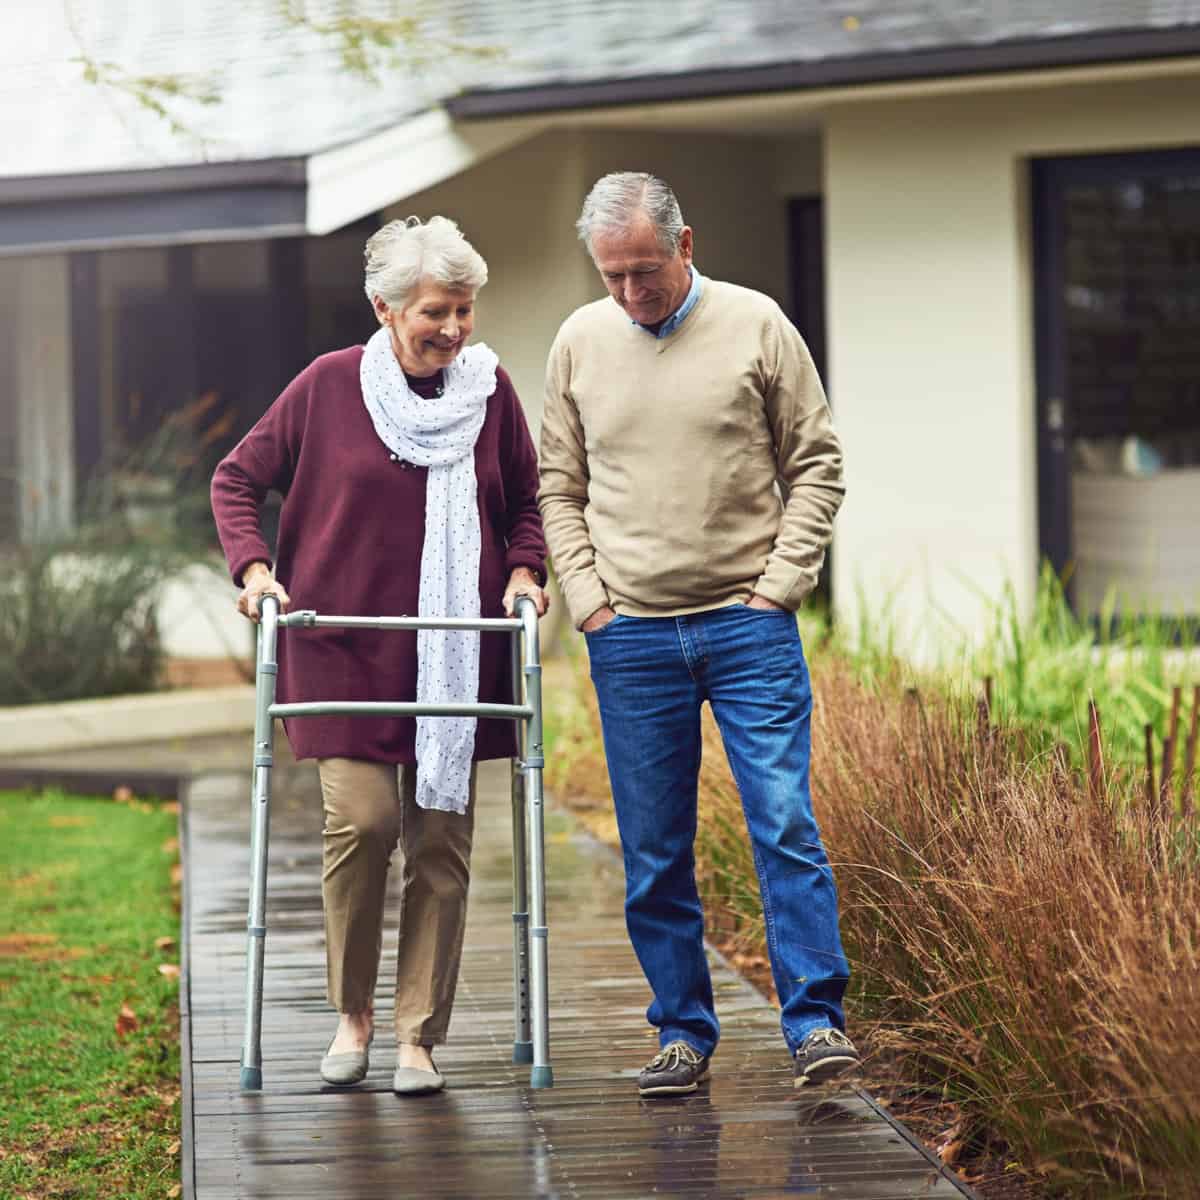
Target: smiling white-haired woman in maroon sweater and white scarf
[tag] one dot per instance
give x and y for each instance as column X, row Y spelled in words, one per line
column 410, row 487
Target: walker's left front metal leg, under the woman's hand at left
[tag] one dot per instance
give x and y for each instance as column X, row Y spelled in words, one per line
column 260, row 836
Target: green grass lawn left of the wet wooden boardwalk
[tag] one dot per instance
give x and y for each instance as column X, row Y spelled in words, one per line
column 89, row 1070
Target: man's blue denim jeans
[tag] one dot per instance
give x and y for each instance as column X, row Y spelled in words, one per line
column 652, row 675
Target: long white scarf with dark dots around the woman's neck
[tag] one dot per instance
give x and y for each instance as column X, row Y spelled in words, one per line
column 440, row 434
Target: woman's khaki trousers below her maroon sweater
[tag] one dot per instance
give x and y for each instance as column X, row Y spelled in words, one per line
column 370, row 808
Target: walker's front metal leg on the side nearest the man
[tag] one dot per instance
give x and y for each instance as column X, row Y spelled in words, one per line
column 541, row 1076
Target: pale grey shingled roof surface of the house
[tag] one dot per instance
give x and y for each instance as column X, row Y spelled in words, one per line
column 284, row 92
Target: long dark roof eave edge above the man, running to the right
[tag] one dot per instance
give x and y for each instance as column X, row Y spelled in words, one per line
column 857, row 71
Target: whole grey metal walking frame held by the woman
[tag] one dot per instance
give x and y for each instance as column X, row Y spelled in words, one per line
column 530, row 971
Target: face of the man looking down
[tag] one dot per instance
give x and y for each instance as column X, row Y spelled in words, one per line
column 640, row 275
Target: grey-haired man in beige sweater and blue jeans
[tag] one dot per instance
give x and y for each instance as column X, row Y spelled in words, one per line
column 673, row 410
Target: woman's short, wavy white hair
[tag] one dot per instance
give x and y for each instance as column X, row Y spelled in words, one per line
column 404, row 253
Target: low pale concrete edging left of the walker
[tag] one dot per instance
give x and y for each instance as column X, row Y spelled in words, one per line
column 119, row 721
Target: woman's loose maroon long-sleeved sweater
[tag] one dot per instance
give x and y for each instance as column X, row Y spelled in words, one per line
column 351, row 535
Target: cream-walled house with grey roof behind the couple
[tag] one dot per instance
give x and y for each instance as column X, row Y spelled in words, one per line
column 985, row 220
